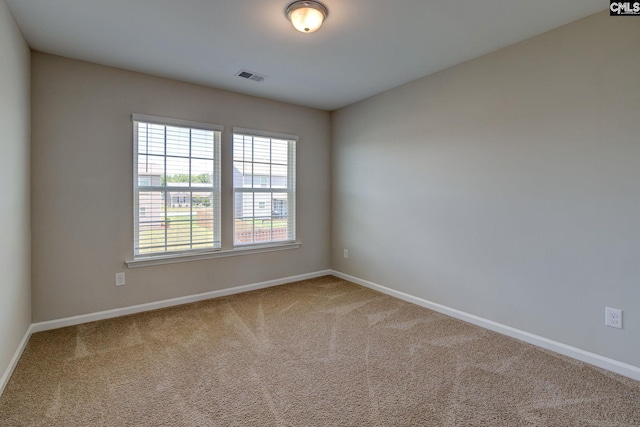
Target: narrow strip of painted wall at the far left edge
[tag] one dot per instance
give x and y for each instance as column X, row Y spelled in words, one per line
column 15, row 228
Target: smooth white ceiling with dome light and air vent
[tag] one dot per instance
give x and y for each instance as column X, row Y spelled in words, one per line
column 364, row 47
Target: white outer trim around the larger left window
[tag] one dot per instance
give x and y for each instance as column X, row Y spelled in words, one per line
column 161, row 257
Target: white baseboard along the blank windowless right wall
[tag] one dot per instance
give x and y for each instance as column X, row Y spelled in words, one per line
column 558, row 347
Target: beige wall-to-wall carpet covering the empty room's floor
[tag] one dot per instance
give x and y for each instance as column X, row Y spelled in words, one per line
column 322, row 352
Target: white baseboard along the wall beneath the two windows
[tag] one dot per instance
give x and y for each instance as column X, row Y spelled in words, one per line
column 124, row 311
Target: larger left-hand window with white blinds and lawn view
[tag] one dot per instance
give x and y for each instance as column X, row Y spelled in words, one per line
column 176, row 186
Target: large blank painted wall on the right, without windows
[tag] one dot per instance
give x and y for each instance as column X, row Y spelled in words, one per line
column 505, row 187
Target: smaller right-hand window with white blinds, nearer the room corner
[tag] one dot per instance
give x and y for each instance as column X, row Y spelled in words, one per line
column 264, row 187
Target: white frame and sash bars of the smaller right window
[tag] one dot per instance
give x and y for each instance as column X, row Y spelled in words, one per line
column 290, row 189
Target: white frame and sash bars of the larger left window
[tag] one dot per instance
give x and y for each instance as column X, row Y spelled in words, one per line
column 215, row 188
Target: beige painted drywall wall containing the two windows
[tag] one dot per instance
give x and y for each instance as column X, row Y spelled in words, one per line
column 83, row 197
